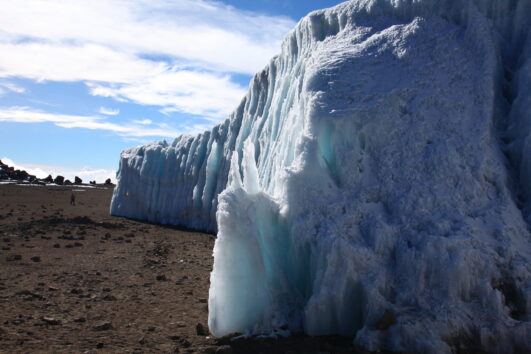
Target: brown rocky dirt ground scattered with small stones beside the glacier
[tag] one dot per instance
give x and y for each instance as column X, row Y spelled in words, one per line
column 74, row 279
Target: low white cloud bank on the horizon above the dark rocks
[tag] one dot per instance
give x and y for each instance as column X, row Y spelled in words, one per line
column 42, row 171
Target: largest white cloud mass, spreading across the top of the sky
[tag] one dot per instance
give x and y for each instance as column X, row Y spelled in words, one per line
column 174, row 54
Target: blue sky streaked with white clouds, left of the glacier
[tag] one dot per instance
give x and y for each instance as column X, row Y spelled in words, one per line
column 80, row 81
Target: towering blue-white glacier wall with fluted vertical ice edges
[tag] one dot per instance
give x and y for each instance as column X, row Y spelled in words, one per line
column 374, row 182
